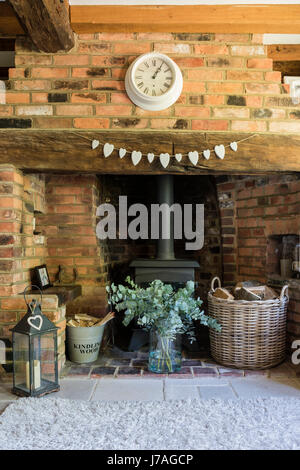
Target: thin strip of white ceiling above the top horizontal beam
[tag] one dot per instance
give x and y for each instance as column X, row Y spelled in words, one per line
column 184, row 2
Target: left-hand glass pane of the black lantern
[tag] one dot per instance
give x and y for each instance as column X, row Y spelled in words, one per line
column 21, row 362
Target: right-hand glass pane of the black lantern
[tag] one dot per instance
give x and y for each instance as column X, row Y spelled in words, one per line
column 48, row 358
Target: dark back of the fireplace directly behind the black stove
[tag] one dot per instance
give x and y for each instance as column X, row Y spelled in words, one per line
column 168, row 260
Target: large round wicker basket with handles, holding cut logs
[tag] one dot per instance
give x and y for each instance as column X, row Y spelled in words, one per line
column 253, row 333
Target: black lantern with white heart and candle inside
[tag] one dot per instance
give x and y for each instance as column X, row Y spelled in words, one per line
column 35, row 353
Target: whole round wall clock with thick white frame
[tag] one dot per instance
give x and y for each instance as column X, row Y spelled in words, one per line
column 153, row 81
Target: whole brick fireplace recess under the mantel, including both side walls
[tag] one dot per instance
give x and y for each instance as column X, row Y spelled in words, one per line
column 51, row 219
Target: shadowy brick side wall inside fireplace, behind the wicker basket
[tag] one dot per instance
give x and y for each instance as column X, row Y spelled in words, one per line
column 252, row 210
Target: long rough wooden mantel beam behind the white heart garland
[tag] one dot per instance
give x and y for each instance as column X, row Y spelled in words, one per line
column 67, row 151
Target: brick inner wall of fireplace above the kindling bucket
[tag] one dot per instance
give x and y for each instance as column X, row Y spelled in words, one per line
column 69, row 227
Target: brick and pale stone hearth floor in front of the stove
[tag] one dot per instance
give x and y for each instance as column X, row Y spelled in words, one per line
column 127, row 378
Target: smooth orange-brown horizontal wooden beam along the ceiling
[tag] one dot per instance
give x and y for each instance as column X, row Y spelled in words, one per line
column 186, row 18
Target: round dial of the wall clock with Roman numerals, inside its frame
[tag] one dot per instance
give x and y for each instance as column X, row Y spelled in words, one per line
column 153, row 76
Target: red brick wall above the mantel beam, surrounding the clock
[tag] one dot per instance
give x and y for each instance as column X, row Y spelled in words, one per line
column 229, row 85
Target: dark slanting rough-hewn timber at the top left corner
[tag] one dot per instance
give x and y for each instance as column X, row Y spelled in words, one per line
column 46, row 22
